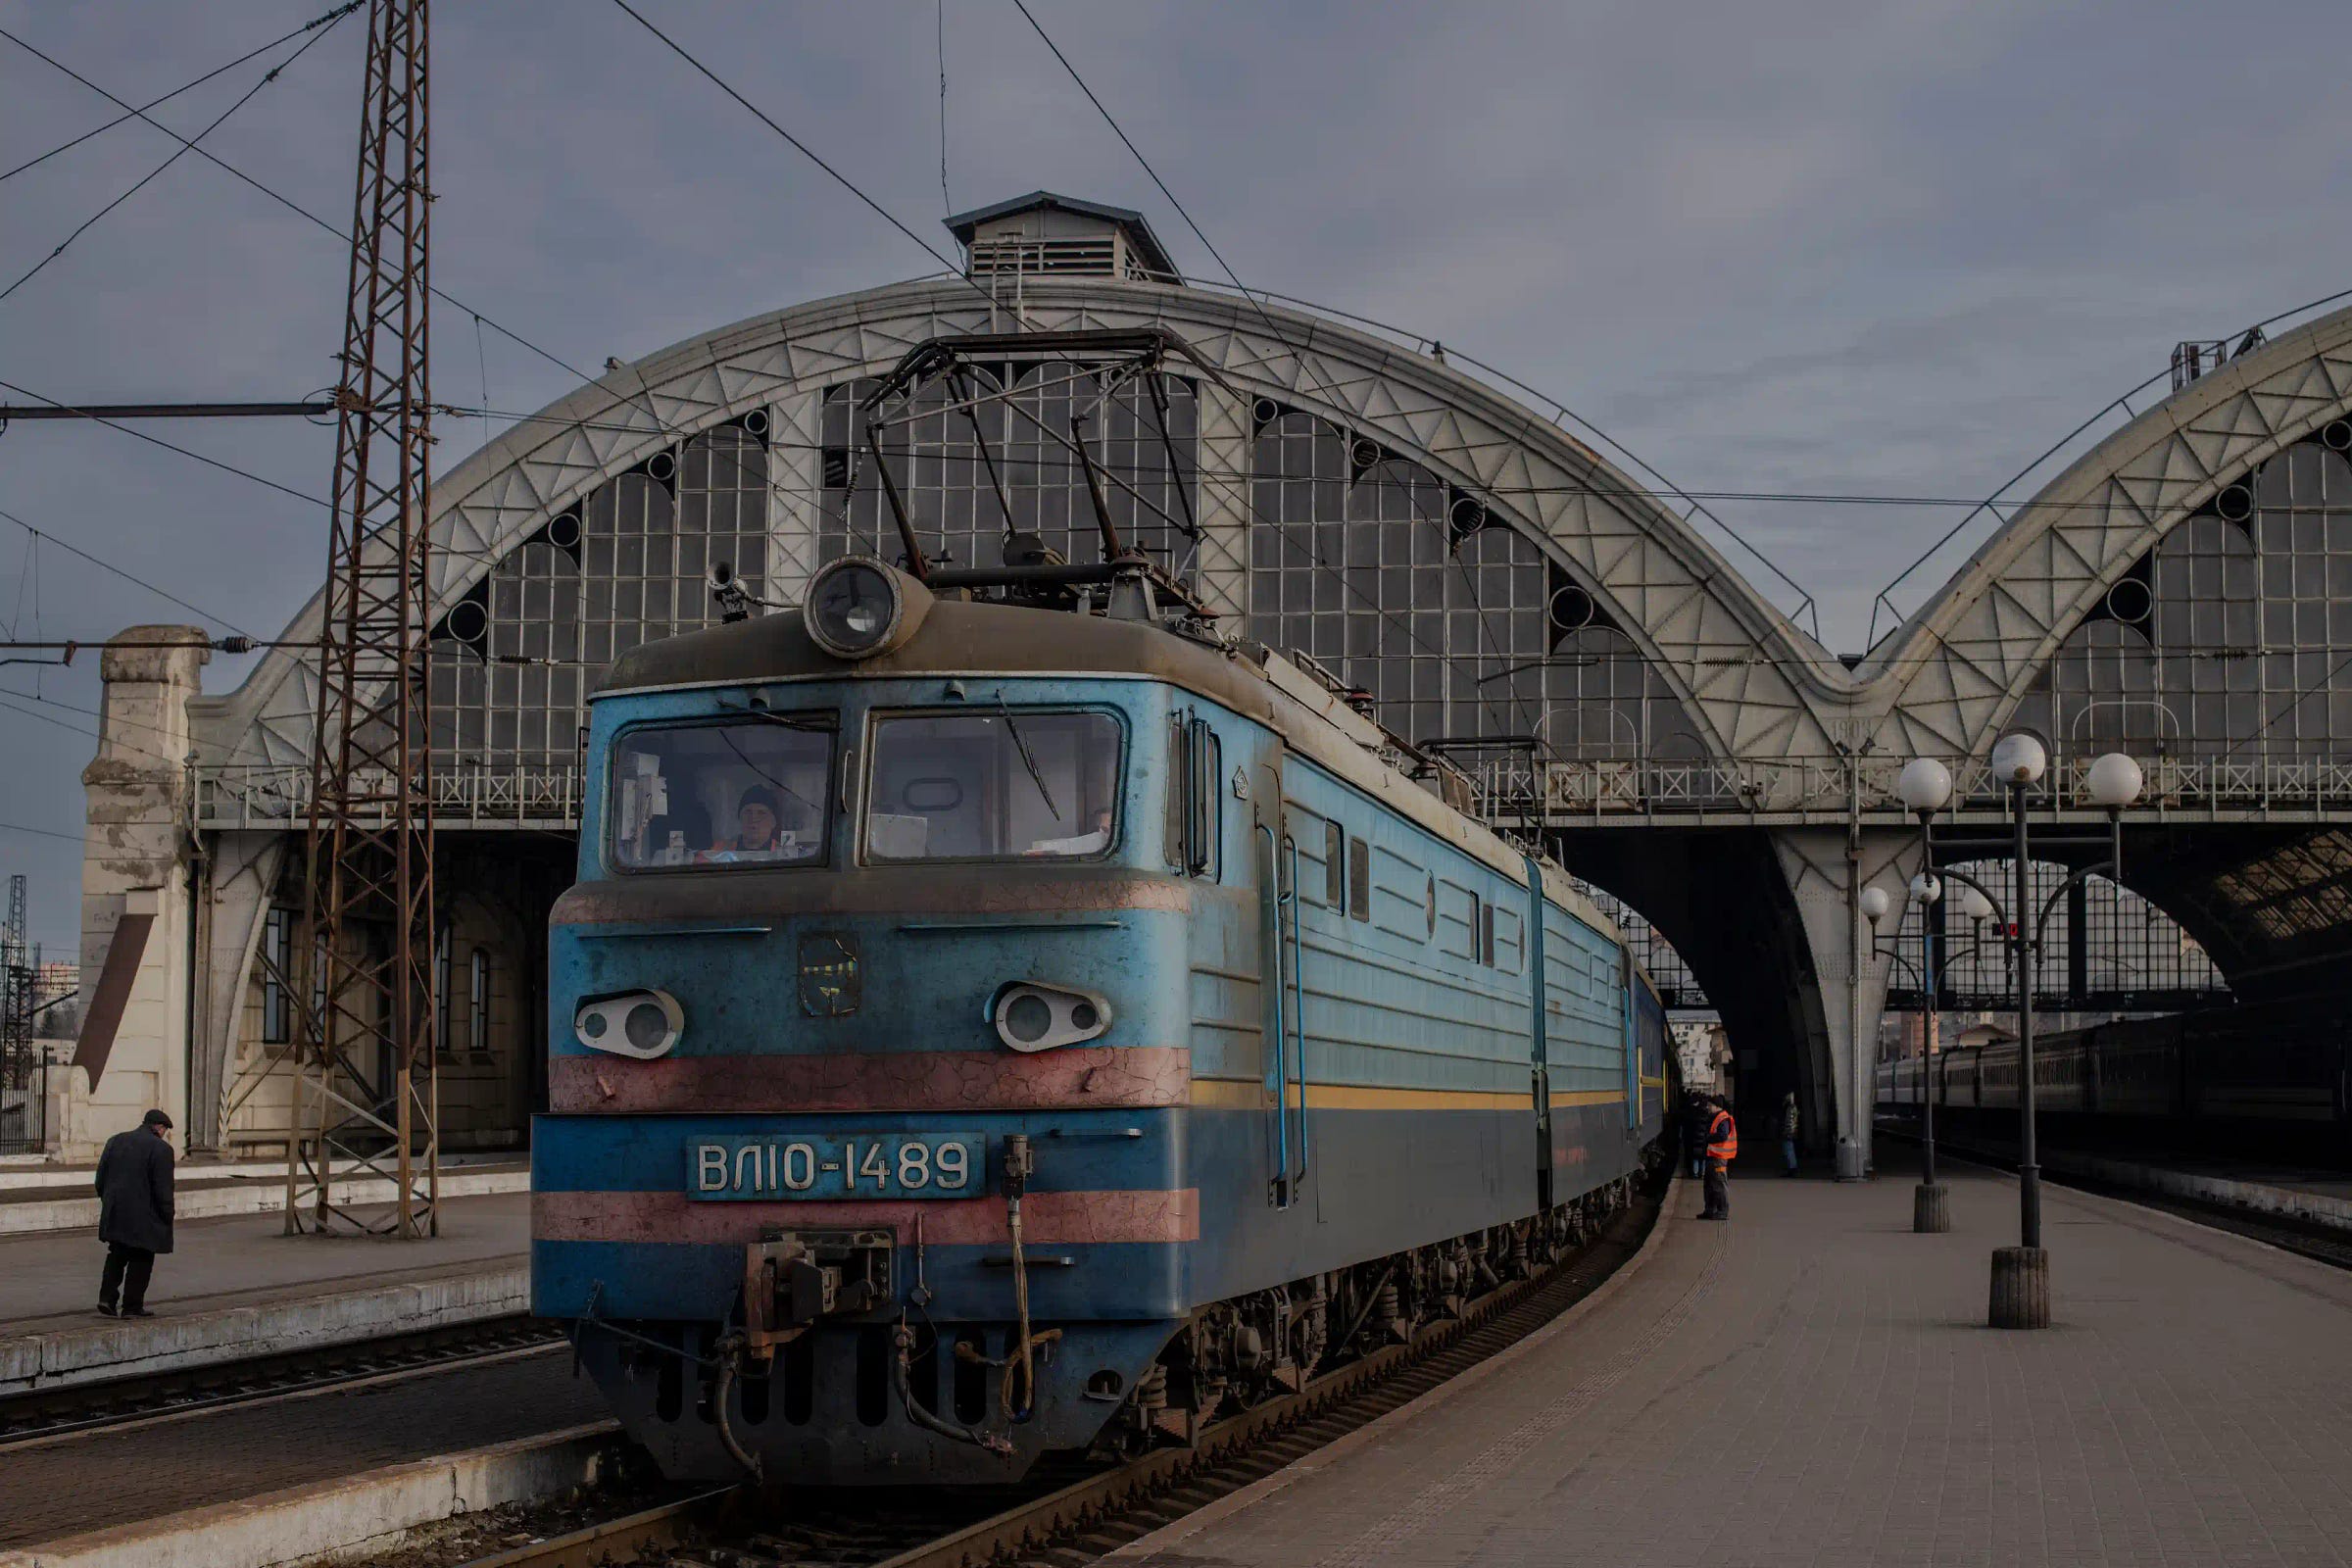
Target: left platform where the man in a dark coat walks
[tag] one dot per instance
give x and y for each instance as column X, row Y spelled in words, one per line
column 239, row 1287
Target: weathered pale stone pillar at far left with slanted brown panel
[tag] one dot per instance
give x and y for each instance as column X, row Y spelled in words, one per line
column 138, row 859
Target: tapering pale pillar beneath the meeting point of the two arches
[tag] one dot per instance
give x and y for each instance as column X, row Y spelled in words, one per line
column 1826, row 876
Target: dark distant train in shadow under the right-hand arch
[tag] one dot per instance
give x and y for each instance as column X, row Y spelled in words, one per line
column 2271, row 1078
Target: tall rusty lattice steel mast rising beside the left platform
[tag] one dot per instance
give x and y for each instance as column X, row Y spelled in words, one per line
column 368, row 1090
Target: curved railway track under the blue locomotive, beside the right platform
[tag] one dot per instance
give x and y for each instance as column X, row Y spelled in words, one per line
column 1076, row 1513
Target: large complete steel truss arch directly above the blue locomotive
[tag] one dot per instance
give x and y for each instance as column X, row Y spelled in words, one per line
column 1753, row 683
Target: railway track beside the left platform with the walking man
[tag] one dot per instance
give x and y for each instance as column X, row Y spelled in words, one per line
column 91, row 1407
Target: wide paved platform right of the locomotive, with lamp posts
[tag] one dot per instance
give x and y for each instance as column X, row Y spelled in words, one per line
column 1815, row 1383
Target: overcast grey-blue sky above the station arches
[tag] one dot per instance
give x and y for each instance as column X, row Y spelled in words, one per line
column 1772, row 248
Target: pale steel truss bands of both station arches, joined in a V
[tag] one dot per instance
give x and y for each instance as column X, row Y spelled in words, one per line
column 1751, row 683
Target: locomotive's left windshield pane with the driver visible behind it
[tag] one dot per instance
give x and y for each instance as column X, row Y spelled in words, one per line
column 735, row 793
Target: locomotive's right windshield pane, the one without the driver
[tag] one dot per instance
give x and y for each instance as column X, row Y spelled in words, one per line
column 994, row 786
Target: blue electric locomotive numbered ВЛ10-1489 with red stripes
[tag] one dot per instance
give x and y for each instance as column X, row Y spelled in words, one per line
column 1003, row 1014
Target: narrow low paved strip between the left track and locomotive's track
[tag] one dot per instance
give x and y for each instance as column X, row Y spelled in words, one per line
column 107, row 1480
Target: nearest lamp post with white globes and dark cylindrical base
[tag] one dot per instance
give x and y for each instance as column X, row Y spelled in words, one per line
column 2022, row 1294
